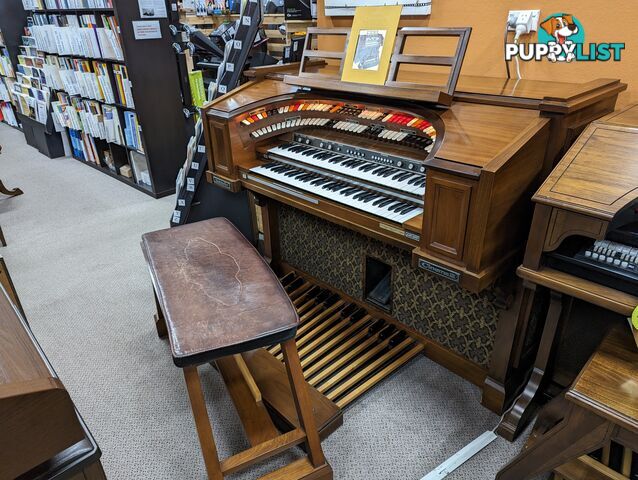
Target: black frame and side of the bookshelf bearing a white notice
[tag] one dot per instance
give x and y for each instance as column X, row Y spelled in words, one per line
column 153, row 73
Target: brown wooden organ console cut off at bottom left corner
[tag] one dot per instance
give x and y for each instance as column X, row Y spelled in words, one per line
column 43, row 435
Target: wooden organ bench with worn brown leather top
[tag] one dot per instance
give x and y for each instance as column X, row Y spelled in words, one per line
column 219, row 299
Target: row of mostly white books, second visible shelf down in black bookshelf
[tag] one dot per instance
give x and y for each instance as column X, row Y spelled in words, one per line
column 77, row 35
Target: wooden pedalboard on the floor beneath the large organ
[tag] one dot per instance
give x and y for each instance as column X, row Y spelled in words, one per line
column 344, row 349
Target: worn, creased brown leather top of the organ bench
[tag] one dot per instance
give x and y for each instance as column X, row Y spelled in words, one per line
column 217, row 294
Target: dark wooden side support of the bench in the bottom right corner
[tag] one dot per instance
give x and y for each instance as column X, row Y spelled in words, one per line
column 580, row 432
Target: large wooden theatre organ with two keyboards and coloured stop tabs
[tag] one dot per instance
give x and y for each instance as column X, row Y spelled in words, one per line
column 410, row 200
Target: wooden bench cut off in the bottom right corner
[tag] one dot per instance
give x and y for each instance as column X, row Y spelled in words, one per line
column 601, row 406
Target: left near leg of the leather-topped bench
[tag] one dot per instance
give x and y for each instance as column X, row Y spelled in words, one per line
column 202, row 423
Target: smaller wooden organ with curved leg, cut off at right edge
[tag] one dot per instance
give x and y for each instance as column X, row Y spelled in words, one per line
column 583, row 245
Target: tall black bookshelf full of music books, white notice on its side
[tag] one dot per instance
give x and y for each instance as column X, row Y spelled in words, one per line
column 117, row 97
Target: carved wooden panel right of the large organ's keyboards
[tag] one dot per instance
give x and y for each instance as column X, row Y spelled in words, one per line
column 447, row 206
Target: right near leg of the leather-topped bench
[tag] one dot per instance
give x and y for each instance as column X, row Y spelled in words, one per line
column 302, row 403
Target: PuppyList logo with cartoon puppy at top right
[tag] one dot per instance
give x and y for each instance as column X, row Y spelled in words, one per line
column 561, row 38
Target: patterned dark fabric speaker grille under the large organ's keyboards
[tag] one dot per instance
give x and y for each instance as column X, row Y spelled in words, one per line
column 462, row 321
